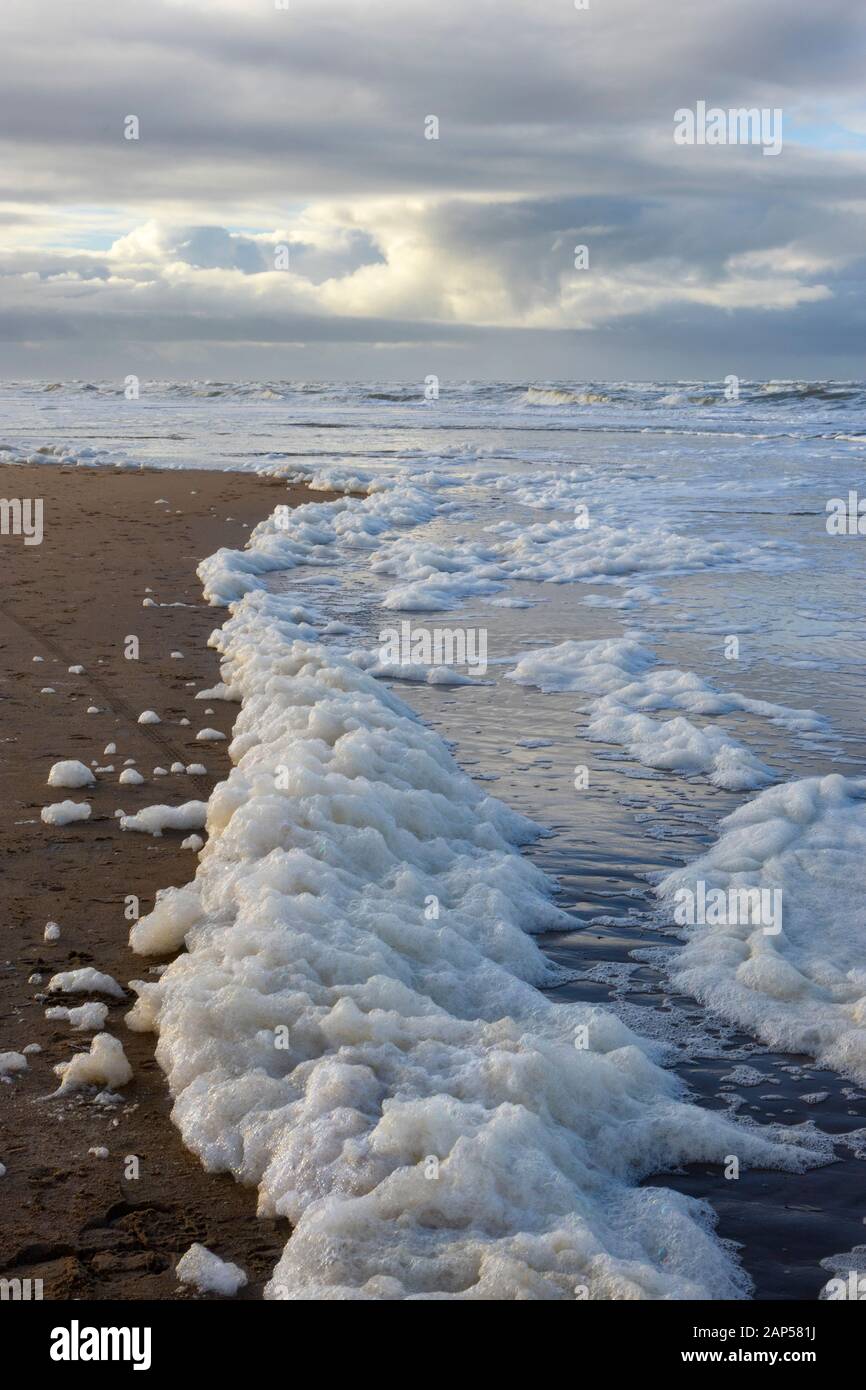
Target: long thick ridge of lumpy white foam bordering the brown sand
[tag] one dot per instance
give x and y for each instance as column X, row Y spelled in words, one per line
column 363, row 903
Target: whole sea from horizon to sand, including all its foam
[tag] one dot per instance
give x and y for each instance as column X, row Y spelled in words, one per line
column 508, row 1070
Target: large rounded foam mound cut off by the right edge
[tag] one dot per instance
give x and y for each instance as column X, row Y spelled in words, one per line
column 803, row 990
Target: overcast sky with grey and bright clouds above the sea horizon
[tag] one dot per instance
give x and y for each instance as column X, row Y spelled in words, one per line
column 272, row 136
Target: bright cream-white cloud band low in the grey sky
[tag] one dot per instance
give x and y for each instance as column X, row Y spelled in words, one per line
column 412, row 272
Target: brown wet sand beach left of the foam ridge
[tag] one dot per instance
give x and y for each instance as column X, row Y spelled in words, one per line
column 69, row 1217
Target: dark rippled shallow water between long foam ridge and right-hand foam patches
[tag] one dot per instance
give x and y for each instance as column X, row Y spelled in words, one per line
column 605, row 840
